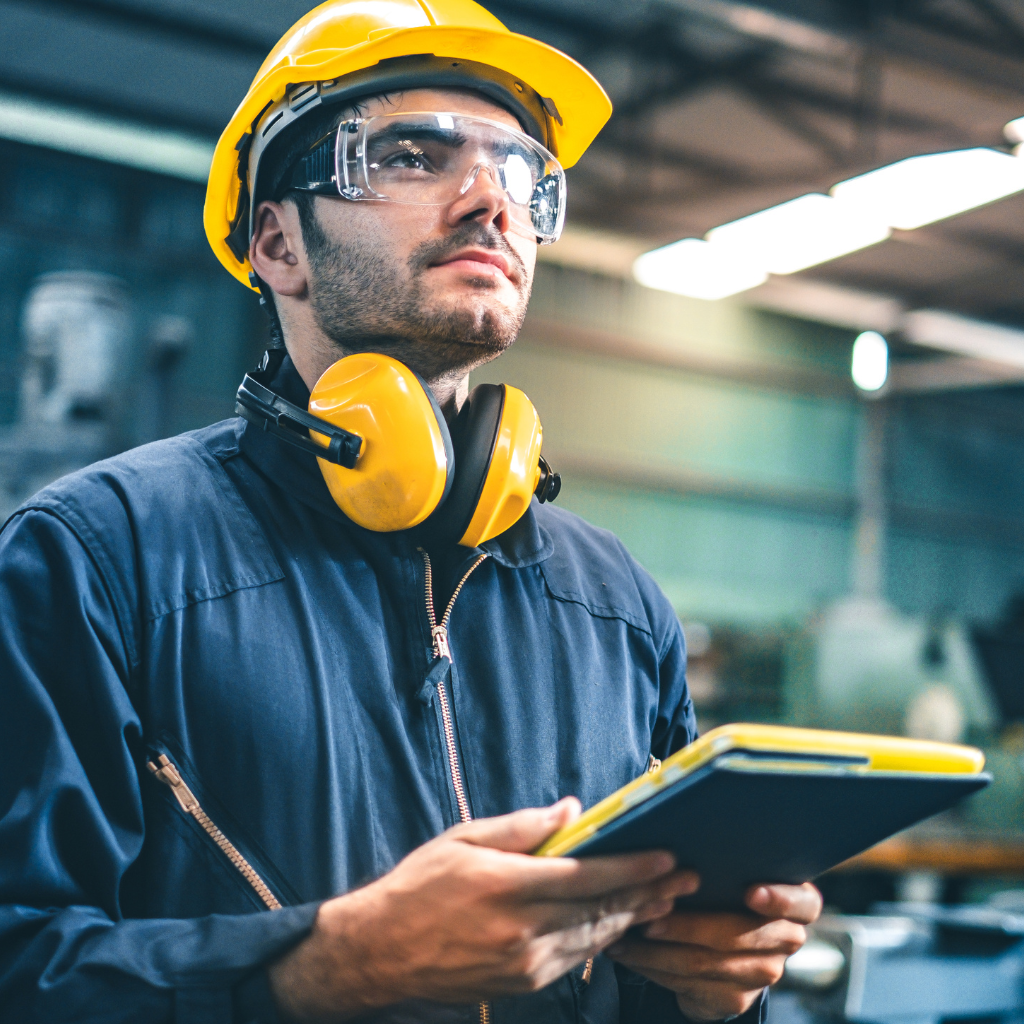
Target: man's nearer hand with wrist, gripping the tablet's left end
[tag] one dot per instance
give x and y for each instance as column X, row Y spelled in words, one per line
column 470, row 916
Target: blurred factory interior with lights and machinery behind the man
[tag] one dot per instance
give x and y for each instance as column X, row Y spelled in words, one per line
column 823, row 465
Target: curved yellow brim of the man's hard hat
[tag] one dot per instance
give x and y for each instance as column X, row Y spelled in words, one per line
column 583, row 106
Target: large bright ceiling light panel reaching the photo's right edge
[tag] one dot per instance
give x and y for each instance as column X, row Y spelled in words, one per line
column 922, row 190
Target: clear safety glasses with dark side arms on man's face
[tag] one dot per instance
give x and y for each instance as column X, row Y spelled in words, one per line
column 429, row 159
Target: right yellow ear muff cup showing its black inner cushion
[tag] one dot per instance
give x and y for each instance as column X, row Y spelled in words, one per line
column 498, row 453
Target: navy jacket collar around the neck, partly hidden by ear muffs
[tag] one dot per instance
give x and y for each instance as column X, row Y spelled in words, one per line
column 527, row 543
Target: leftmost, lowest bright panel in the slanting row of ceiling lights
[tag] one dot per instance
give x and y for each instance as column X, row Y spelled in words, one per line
column 698, row 270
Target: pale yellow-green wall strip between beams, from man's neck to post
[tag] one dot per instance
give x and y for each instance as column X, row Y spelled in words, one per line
column 595, row 406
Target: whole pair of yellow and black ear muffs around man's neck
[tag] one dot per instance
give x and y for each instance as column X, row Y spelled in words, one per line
column 388, row 456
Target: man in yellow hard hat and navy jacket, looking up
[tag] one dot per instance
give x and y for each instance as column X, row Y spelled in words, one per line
column 250, row 772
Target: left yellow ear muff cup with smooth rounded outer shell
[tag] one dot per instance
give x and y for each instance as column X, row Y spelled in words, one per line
column 405, row 464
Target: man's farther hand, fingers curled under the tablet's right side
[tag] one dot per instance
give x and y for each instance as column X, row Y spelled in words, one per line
column 717, row 964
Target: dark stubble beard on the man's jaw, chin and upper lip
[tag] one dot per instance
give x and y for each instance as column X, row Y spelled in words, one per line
column 365, row 301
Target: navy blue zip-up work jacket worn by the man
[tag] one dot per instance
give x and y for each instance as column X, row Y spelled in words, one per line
column 204, row 600
